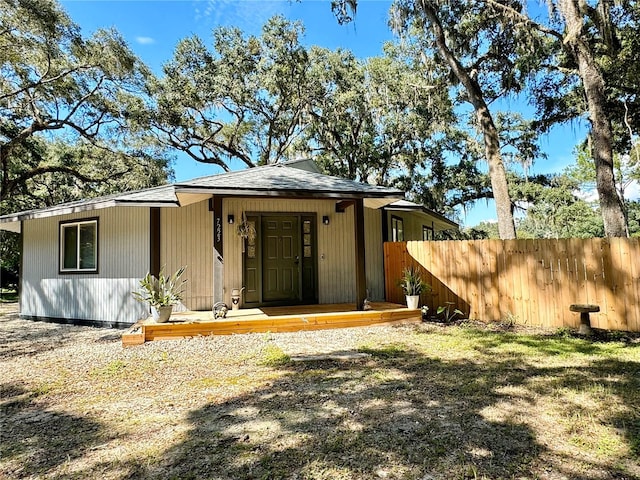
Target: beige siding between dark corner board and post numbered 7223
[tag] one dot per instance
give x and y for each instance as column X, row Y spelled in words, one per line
column 186, row 239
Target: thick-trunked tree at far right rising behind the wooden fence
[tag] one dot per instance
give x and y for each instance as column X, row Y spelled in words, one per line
column 587, row 42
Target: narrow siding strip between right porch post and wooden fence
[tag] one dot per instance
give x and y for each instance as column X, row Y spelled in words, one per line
column 375, row 253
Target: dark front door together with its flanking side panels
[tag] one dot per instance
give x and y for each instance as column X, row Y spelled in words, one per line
column 280, row 263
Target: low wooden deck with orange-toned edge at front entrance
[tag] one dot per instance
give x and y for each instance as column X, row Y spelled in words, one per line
column 272, row 319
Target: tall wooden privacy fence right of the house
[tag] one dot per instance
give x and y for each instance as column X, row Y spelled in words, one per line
column 528, row 281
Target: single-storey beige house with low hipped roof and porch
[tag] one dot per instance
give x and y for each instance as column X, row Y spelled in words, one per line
column 285, row 234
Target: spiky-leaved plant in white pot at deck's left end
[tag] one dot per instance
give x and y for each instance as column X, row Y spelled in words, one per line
column 161, row 293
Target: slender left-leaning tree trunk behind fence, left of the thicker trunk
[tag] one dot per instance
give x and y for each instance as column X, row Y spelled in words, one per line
column 497, row 172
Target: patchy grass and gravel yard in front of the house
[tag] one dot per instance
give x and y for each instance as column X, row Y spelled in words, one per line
column 429, row 402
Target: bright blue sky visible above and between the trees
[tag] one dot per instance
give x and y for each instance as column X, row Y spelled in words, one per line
column 153, row 28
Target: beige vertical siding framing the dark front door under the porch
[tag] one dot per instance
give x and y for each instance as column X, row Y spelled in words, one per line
column 336, row 245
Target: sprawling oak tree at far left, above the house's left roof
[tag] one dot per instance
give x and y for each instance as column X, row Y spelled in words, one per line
column 65, row 104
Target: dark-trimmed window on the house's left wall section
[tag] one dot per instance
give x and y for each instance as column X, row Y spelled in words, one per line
column 79, row 246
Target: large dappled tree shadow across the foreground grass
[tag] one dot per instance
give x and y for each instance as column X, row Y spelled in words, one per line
column 399, row 414
